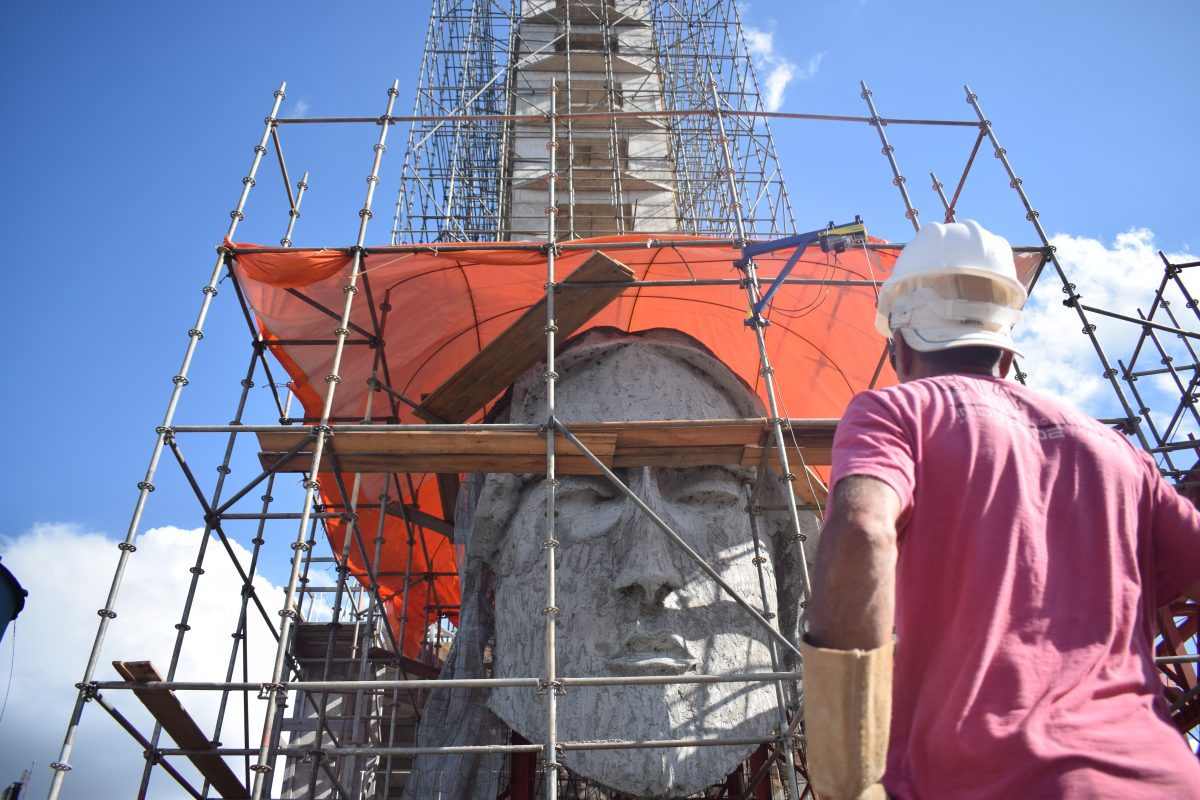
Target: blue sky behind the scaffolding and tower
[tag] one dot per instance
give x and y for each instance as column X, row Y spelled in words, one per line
column 131, row 125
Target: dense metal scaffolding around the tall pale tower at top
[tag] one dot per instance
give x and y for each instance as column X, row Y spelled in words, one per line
column 634, row 123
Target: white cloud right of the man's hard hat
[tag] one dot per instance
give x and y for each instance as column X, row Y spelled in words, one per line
column 1119, row 278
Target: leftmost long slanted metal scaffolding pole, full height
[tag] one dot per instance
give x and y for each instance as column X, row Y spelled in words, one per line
column 62, row 766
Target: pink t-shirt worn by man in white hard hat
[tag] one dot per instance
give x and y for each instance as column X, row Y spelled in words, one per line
column 1035, row 548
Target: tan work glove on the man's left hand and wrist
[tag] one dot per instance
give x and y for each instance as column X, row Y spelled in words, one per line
column 848, row 714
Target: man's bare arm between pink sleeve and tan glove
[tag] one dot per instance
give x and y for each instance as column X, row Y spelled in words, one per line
column 854, row 594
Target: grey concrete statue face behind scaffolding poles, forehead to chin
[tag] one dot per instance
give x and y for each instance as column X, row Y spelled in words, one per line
column 632, row 603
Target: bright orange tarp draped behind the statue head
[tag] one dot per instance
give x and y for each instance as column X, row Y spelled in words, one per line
column 436, row 310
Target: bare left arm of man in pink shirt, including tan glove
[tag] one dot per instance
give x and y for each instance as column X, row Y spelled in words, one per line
column 848, row 651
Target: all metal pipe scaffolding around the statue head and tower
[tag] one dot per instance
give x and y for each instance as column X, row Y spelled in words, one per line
column 685, row 148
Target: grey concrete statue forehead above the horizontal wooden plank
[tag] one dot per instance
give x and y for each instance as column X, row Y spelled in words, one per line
column 634, row 382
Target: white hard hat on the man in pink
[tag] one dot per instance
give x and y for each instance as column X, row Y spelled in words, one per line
column 953, row 286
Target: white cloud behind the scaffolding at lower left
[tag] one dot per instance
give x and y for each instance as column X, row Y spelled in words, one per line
column 68, row 573
